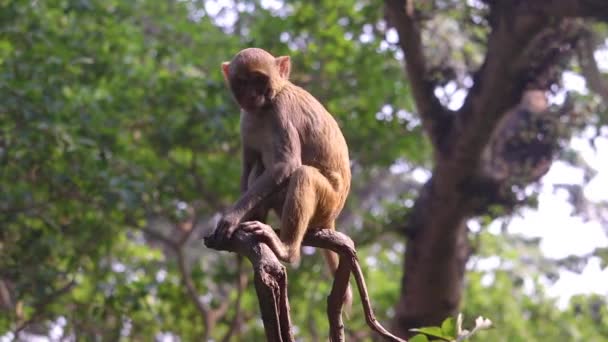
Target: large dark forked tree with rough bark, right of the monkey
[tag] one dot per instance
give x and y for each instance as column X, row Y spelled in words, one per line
column 527, row 40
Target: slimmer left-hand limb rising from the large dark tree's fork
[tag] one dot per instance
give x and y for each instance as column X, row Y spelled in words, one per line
column 432, row 113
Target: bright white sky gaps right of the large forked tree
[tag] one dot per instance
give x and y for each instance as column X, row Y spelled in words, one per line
column 561, row 233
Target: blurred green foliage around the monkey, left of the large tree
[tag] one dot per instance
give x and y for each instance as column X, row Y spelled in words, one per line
column 113, row 113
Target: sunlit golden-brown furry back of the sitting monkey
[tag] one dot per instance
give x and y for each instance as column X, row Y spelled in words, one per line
column 323, row 145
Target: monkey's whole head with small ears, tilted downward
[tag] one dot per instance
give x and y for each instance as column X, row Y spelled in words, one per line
column 255, row 77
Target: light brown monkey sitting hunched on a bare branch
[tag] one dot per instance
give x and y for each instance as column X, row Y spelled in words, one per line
column 295, row 159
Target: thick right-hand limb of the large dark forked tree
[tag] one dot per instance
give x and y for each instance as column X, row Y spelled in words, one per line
column 521, row 48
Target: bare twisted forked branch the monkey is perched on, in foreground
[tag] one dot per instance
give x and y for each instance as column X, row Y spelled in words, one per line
column 271, row 282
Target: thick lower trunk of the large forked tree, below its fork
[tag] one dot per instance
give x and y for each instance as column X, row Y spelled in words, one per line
column 434, row 265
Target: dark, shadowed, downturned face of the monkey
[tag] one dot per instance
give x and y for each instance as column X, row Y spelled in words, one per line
column 251, row 90
